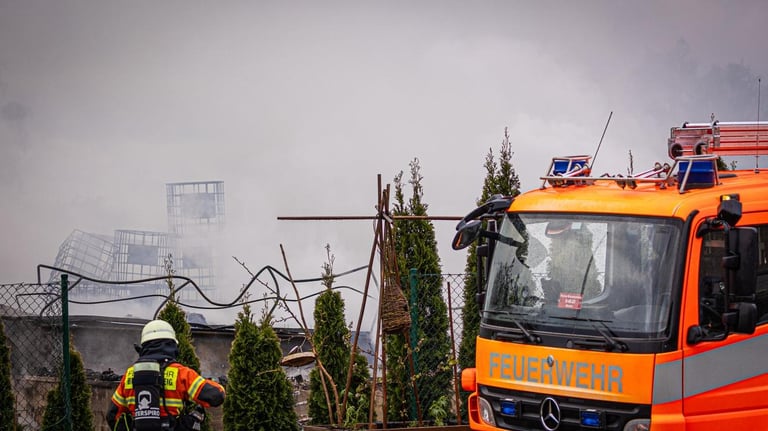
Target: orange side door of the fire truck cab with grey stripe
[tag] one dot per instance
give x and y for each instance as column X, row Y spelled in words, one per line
column 725, row 373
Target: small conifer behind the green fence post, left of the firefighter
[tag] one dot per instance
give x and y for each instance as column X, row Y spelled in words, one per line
column 54, row 418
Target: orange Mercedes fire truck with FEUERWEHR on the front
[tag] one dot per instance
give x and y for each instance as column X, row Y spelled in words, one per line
column 627, row 302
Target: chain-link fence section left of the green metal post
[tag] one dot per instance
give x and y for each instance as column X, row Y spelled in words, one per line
column 31, row 315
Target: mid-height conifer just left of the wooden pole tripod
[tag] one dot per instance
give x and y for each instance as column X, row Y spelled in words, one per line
column 331, row 340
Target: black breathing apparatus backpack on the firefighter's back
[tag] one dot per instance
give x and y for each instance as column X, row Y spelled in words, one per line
column 149, row 389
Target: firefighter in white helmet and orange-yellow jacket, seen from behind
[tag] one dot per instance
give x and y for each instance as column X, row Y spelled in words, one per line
column 154, row 391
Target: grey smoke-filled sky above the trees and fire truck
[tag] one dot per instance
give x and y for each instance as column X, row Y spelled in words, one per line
column 297, row 106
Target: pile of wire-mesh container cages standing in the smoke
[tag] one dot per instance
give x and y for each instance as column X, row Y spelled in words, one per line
column 195, row 219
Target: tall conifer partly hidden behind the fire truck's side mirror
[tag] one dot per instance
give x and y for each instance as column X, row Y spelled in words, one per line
column 500, row 179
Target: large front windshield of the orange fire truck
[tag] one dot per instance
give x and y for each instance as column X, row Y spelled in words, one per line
column 602, row 276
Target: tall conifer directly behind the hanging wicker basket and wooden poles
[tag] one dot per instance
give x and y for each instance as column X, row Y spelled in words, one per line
column 416, row 248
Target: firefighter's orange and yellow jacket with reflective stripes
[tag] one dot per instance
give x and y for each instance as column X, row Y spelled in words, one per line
column 181, row 384
